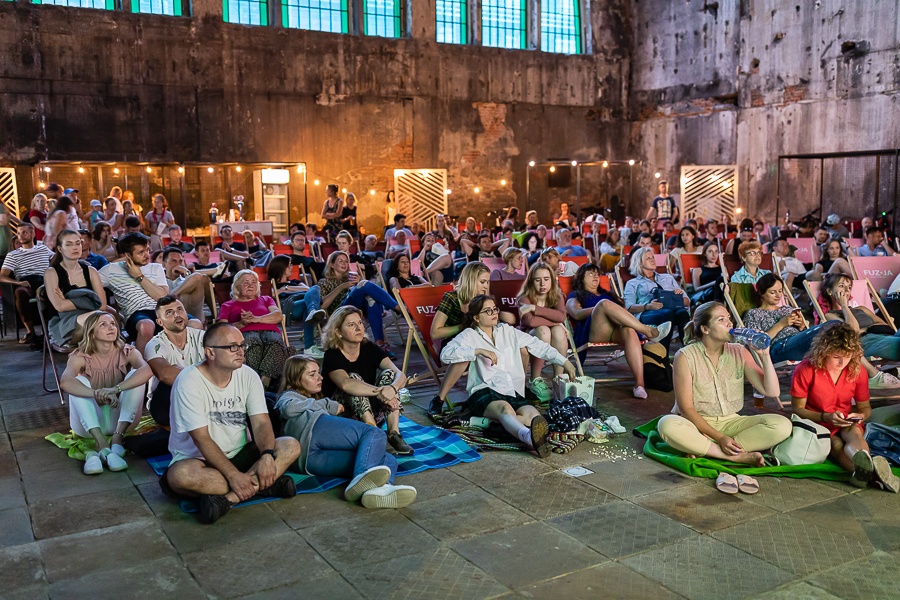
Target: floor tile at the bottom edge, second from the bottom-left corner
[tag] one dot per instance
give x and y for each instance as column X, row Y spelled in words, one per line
column 150, row 580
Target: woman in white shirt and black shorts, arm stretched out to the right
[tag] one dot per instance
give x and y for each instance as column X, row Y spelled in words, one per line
column 496, row 383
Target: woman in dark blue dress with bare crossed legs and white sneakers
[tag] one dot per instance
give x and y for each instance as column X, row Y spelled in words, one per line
column 599, row 317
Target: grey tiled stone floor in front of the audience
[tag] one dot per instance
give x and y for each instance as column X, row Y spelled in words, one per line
column 508, row 526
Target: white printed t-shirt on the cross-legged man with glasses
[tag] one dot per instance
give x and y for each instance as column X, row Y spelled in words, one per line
column 197, row 403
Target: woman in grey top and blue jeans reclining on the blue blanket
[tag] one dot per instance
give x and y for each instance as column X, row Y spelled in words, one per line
column 332, row 446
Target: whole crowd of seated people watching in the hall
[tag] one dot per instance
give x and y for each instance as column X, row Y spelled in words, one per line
column 209, row 385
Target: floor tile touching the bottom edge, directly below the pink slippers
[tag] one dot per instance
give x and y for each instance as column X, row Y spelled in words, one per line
column 694, row 568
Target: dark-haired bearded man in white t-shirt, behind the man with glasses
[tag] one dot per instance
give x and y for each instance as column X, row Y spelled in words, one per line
column 169, row 352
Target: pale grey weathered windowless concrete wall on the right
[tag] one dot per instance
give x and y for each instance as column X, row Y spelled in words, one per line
column 752, row 80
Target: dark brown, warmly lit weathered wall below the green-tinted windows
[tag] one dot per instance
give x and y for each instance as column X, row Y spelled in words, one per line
column 79, row 84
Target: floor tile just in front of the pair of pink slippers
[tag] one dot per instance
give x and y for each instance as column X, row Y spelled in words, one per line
column 702, row 507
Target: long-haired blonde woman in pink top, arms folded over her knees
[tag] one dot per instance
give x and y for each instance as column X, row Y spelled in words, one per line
column 542, row 309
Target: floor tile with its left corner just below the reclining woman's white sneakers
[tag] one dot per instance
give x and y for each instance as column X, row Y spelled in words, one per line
column 464, row 514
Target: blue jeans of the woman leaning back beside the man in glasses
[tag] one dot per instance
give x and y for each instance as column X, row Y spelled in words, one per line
column 342, row 447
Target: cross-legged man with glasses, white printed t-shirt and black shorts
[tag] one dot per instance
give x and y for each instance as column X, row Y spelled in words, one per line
column 211, row 455
